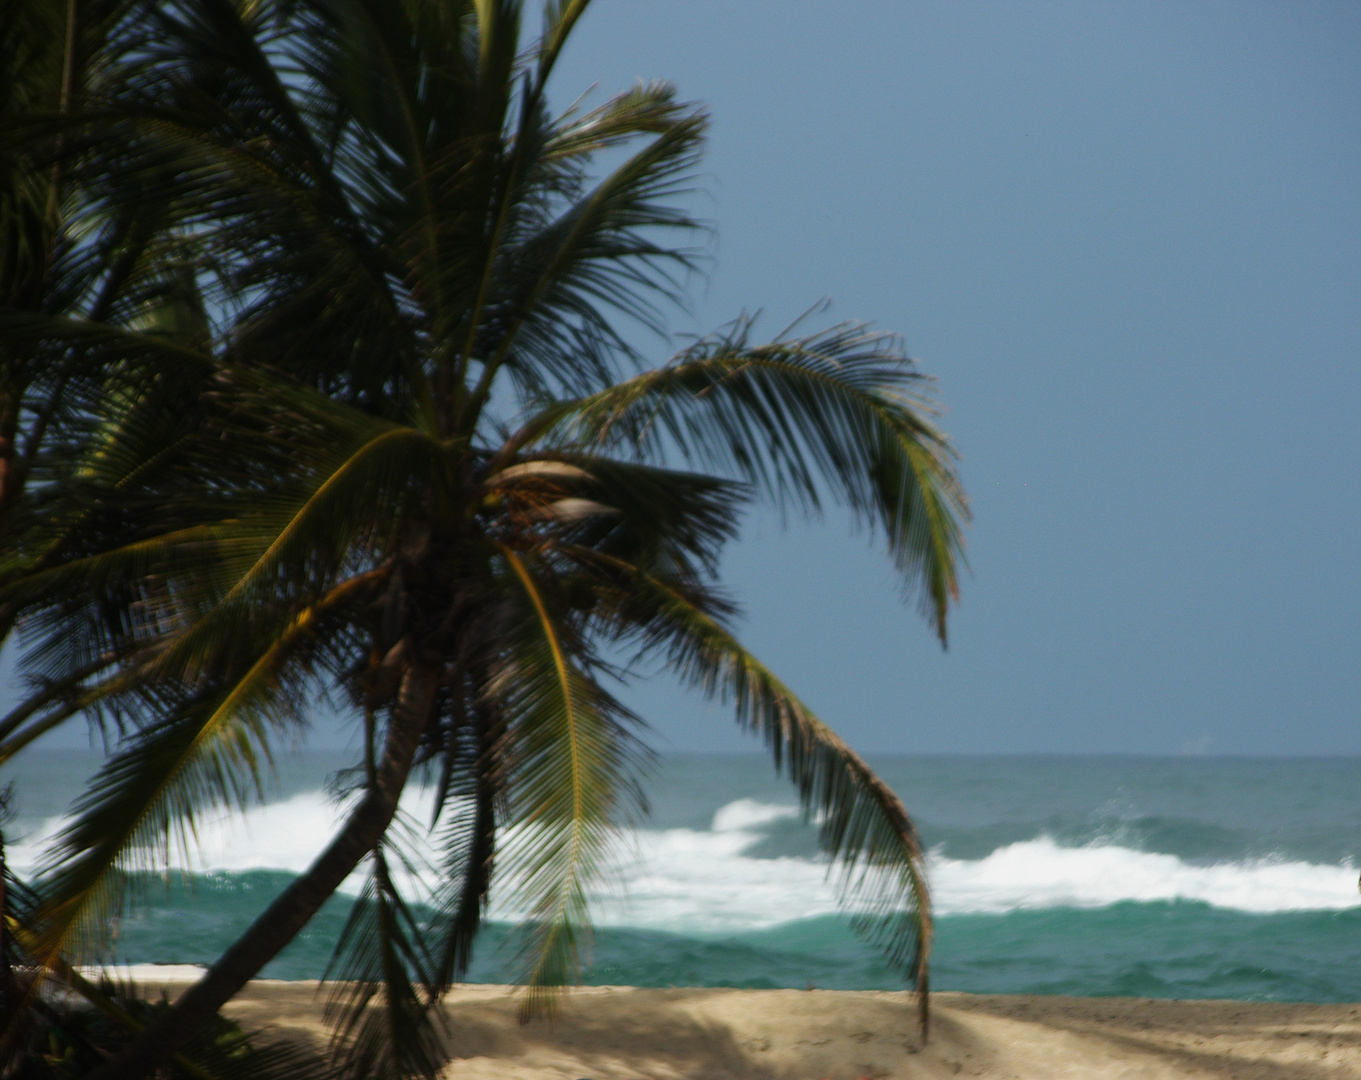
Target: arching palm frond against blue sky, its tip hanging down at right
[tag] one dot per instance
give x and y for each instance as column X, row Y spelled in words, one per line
column 839, row 414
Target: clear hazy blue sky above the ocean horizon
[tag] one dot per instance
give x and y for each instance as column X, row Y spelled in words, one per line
column 1126, row 239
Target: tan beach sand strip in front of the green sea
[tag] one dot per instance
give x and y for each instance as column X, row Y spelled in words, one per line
column 702, row 1034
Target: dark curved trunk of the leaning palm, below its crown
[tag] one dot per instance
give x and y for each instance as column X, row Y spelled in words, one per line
column 296, row 907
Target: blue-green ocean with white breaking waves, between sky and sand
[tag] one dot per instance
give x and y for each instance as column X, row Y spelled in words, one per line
column 1189, row 878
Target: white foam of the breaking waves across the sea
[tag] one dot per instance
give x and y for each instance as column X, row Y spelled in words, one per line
column 703, row 881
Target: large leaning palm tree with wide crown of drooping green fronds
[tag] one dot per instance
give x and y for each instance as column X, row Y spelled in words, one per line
column 393, row 441
